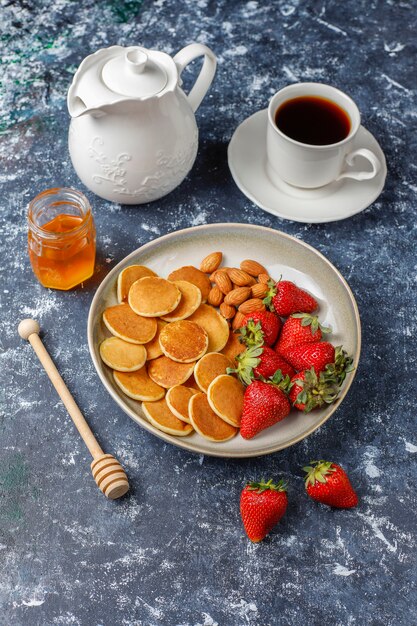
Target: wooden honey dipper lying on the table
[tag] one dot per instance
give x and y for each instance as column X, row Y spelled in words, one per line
column 107, row 471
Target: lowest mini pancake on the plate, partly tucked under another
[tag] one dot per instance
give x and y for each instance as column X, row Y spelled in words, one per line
column 206, row 422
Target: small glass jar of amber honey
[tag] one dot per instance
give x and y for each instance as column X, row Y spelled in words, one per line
column 61, row 238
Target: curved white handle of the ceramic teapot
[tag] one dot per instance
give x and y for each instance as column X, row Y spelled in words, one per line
column 204, row 79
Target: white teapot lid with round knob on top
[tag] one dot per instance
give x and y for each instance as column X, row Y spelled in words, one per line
column 135, row 73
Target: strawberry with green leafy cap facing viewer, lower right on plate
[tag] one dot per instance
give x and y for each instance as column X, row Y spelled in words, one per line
column 311, row 391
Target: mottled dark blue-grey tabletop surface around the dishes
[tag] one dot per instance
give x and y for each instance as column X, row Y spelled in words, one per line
column 173, row 552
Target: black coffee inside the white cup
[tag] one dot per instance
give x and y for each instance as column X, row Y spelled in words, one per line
column 313, row 120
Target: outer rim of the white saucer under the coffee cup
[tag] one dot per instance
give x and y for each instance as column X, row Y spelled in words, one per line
column 248, row 194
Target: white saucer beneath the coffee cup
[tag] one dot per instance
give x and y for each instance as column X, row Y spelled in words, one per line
column 247, row 163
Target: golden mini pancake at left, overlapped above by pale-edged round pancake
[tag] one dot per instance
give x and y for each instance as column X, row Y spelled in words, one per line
column 126, row 324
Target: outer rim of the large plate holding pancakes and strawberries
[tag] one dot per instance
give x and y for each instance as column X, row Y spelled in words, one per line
column 181, row 442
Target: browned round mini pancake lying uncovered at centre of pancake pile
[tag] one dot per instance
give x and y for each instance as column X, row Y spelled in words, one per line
column 183, row 341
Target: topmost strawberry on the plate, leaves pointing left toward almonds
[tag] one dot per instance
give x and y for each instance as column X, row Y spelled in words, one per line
column 286, row 298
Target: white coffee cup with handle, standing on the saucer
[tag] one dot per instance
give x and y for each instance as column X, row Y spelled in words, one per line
column 309, row 166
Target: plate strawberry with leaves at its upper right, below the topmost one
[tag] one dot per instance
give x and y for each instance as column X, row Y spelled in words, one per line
column 299, row 329
